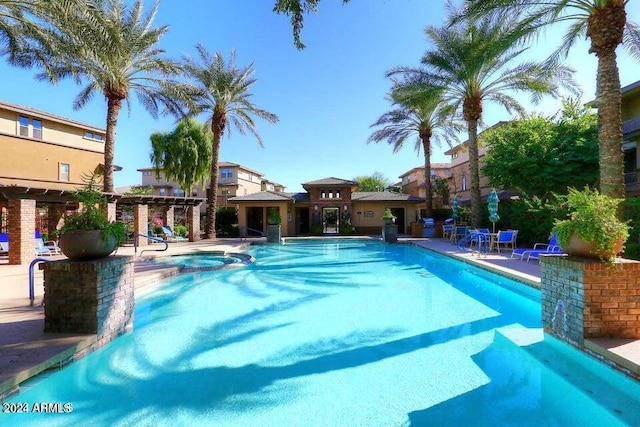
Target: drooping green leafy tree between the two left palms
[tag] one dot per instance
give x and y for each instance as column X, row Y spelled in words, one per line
column 183, row 155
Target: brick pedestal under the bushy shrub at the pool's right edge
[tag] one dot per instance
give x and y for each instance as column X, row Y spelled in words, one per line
column 598, row 299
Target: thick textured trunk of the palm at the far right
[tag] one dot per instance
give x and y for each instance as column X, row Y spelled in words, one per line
column 605, row 29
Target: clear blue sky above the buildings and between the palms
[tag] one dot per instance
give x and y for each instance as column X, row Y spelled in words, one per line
column 326, row 96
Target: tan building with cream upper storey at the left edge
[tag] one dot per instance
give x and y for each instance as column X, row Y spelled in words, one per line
column 43, row 150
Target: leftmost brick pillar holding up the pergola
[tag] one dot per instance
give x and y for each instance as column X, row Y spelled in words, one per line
column 22, row 229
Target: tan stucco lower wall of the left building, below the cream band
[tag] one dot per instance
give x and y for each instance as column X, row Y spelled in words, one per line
column 31, row 162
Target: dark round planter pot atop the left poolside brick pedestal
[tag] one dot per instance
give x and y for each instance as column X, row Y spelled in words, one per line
column 84, row 245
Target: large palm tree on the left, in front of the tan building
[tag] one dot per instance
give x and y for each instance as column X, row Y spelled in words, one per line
column 112, row 49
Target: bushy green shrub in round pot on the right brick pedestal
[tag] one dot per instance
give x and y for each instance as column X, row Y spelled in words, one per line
column 593, row 228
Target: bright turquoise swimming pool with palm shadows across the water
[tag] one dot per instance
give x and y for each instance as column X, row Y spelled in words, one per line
column 340, row 333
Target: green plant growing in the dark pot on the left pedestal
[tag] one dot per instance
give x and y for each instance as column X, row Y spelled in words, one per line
column 91, row 215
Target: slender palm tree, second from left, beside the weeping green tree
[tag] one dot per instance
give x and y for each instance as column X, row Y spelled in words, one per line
column 221, row 90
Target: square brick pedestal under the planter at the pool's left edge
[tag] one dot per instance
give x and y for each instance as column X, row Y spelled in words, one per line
column 90, row 297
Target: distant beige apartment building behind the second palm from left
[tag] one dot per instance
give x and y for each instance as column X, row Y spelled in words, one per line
column 233, row 180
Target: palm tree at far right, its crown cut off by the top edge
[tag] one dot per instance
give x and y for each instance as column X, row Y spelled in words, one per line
column 605, row 23
